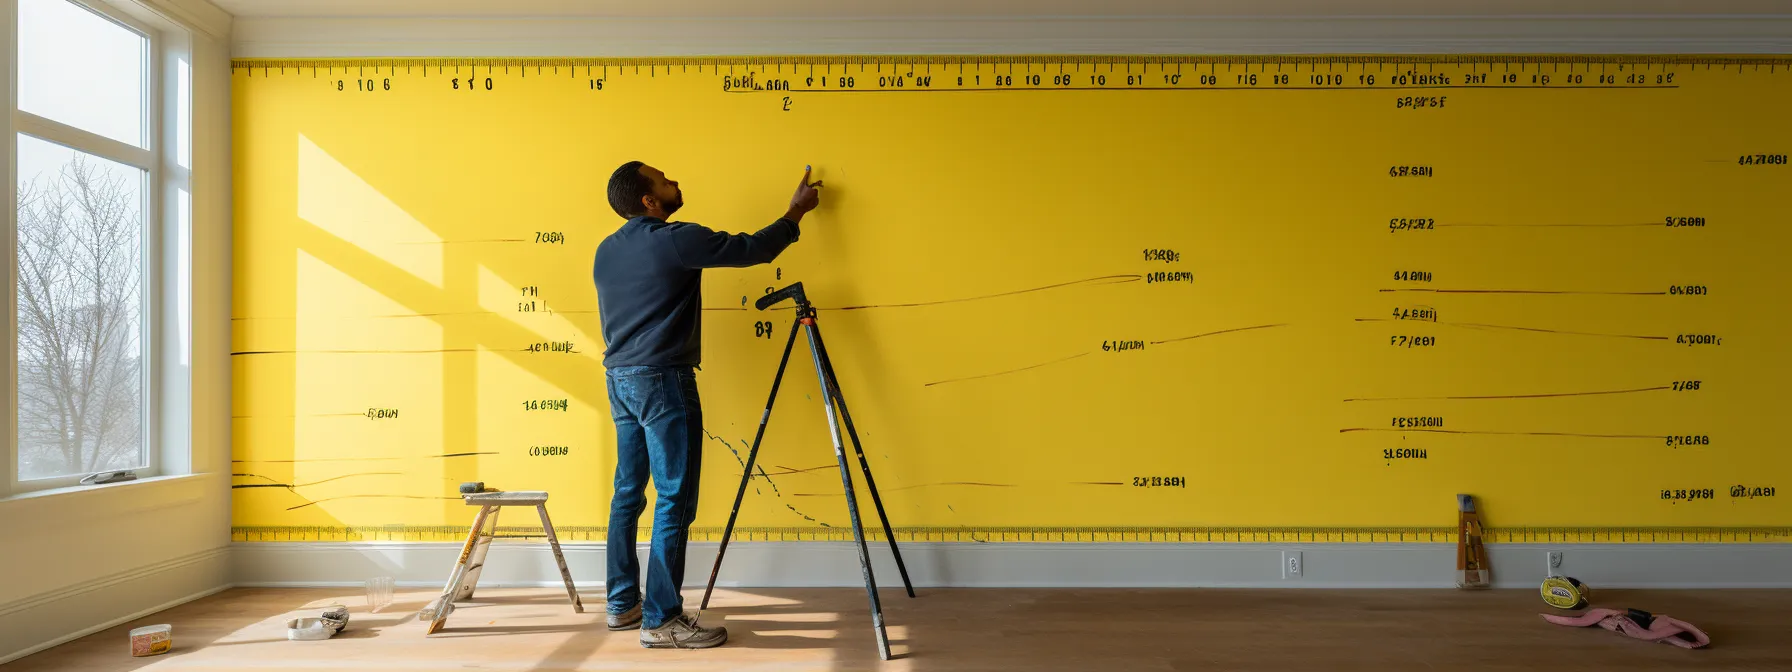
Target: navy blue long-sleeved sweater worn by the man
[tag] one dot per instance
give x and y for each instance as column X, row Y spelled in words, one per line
column 650, row 286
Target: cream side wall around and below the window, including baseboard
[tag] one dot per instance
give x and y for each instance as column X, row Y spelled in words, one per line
column 83, row 560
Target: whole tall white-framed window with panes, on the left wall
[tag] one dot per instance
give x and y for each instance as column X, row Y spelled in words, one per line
column 101, row 207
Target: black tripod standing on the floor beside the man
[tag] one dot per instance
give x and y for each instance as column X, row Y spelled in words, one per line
column 806, row 320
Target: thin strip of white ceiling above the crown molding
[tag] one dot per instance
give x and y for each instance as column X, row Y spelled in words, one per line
column 999, row 8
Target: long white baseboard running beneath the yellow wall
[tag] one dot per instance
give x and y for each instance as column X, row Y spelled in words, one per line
column 1040, row 565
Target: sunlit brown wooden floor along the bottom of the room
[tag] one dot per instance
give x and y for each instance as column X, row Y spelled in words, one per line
column 965, row 630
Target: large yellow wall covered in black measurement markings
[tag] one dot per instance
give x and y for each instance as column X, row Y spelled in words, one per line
column 985, row 243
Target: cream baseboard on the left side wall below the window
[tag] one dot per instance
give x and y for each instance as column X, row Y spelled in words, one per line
column 64, row 616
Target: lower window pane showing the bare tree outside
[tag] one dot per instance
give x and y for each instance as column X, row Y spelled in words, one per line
column 80, row 314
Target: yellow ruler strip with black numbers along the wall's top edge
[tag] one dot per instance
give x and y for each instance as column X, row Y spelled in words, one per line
column 917, row 74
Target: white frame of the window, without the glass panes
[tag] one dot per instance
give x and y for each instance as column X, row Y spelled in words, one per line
column 166, row 243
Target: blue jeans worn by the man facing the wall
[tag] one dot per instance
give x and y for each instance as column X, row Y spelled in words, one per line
column 659, row 424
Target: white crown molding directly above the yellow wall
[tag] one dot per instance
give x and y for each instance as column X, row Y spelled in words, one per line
column 1119, row 37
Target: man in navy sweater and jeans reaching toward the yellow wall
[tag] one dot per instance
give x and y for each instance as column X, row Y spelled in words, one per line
column 650, row 291
